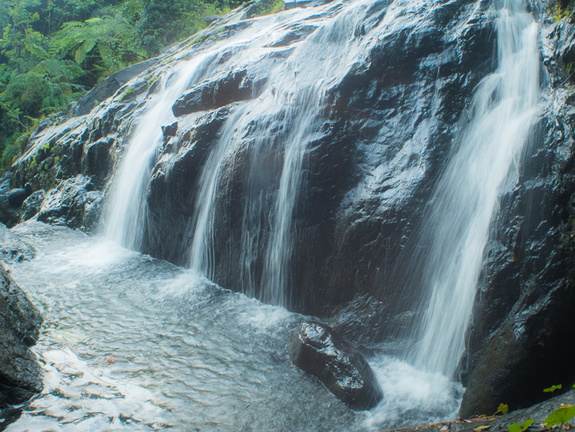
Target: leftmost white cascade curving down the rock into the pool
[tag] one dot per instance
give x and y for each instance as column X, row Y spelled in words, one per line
column 125, row 212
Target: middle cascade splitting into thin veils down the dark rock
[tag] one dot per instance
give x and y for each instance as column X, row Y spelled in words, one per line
column 283, row 120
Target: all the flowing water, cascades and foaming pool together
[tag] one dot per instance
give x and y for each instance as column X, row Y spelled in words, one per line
column 133, row 343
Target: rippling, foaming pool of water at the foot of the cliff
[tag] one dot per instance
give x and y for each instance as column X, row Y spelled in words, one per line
column 130, row 343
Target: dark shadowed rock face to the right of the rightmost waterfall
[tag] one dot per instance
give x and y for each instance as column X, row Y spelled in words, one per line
column 522, row 338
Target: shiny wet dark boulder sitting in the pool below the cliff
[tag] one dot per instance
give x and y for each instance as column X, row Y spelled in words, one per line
column 315, row 349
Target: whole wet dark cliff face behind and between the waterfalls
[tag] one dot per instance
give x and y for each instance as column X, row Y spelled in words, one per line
column 386, row 129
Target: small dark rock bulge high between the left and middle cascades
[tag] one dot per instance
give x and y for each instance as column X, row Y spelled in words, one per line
column 235, row 87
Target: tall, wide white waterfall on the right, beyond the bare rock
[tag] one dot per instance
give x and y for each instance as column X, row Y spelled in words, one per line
column 484, row 165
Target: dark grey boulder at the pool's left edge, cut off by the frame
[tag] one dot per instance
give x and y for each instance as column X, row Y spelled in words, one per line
column 20, row 325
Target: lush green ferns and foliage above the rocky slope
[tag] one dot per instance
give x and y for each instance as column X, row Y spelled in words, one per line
column 53, row 51
